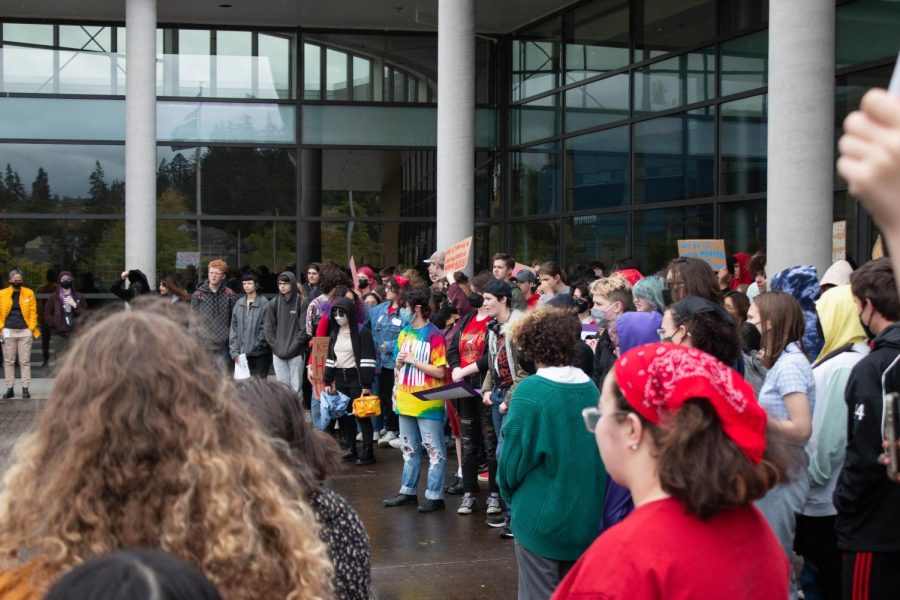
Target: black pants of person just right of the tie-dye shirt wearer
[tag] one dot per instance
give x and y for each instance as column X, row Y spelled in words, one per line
column 477, row 426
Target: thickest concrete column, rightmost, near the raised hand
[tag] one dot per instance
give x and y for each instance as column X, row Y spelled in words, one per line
column 801, row 131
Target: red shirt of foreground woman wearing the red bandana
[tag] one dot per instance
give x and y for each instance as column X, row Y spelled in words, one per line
column 659, row 551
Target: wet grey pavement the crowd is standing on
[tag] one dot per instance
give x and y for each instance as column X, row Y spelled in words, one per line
column 440, row 555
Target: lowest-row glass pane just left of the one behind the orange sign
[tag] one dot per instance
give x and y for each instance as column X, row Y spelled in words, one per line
column 595, row 237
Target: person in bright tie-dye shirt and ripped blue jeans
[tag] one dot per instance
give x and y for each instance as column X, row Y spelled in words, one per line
column 421, row 365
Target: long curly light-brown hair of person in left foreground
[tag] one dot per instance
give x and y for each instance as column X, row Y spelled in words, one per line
column 140, row 445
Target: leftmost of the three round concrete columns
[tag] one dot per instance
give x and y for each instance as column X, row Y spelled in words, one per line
column 140, row 137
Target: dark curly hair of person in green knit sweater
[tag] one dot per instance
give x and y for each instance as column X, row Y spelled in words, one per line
column 548, row 337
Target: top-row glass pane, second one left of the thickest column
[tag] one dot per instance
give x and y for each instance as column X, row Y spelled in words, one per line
column 664, row 26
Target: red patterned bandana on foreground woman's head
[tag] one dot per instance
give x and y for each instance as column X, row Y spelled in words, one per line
column 656, row 379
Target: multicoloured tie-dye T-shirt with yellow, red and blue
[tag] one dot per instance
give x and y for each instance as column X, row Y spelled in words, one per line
column 426, row 344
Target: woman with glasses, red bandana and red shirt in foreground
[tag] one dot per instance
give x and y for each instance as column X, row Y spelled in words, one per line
column 684, row 433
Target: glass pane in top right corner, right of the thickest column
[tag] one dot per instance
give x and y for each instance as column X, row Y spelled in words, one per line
column 866, row 30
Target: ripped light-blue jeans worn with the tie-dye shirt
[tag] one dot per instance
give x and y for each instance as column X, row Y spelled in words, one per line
column 414, row 435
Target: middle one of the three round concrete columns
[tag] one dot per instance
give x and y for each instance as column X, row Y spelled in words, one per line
column 456, row 122
